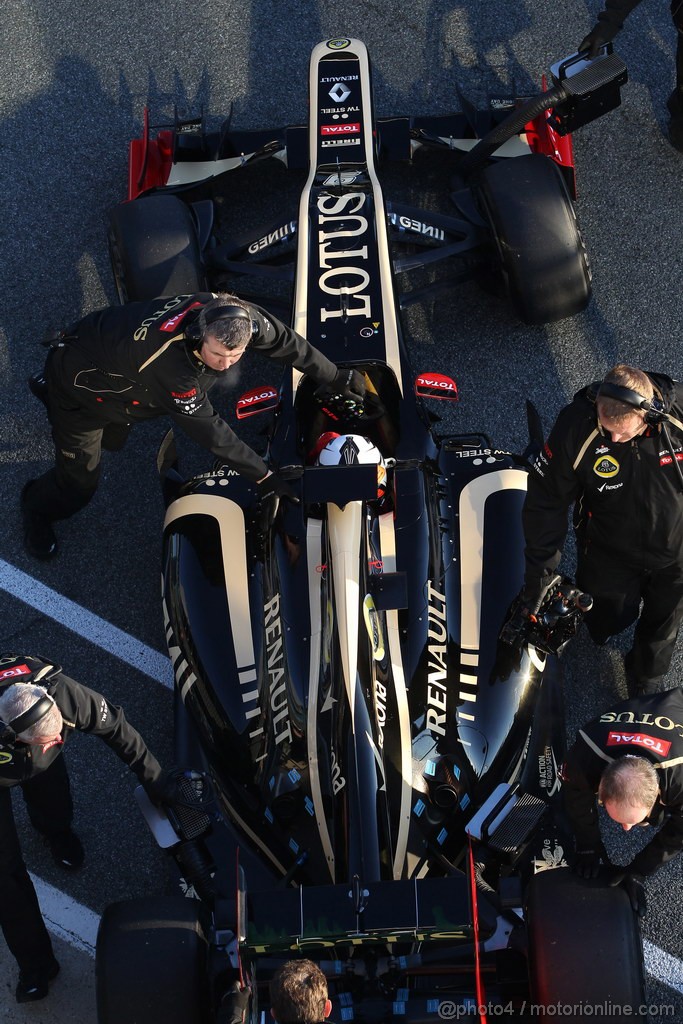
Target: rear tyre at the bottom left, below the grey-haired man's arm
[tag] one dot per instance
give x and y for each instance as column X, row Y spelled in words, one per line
column 151, row 963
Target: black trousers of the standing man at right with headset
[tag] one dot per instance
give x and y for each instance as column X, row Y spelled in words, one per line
column 618, row 590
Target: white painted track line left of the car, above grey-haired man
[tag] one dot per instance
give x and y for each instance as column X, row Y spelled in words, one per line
column 87, row 625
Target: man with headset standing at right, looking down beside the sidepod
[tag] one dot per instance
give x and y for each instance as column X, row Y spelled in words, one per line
column 616, row 453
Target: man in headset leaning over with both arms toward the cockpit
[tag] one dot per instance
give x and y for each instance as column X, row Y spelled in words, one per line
column 147, row 360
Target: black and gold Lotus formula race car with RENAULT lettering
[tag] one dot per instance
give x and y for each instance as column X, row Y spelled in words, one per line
column 374, row 775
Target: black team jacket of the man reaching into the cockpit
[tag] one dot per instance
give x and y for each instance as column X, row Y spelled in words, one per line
column 135, row 362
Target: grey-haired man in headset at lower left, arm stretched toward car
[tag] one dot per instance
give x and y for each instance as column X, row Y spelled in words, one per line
column 40, row 708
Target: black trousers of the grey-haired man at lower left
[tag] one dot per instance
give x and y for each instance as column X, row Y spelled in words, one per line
column 51, row 810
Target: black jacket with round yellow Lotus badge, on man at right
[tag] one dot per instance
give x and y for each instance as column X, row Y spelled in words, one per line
column 628, row 496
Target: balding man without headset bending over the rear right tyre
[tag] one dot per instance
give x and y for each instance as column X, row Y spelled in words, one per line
column 630, row 759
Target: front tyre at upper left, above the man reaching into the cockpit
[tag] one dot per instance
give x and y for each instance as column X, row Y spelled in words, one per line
column 154, row 249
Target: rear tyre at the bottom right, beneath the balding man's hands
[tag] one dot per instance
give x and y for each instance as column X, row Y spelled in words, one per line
column 585, row 947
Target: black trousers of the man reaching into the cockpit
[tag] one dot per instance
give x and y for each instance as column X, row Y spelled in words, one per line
column 79, row 436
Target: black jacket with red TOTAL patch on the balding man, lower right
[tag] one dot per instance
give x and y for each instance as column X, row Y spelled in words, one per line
column 652, row 728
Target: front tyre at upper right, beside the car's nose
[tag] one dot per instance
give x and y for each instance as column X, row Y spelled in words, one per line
column 540, row 253
